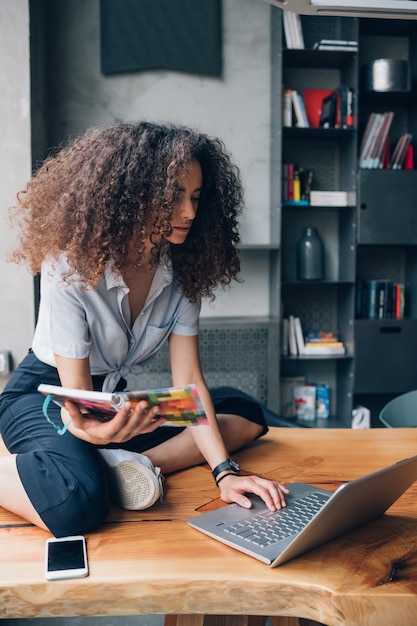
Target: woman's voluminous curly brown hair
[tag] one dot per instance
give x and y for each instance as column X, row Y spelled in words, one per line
column 114, row 186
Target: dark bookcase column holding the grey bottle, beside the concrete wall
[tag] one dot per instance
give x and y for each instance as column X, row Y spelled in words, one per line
column 331, row 153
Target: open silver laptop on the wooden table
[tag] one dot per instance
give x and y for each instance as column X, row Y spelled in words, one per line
column 312, row 516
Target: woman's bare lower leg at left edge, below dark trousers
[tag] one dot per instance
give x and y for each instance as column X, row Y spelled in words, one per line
column 13, row 497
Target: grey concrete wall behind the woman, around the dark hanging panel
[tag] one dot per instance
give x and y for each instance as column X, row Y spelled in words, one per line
column 235, row 107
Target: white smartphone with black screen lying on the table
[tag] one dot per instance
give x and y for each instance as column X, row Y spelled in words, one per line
column 66, row 557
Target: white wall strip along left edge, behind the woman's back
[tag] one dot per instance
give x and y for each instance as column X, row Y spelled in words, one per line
column 16, row 284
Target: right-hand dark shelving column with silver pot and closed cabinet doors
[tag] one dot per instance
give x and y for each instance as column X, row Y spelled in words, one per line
column 387, row 239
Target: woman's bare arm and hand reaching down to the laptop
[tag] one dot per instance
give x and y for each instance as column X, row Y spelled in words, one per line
column 186, row 369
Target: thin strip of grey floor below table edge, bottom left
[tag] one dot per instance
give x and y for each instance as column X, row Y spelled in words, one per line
column 140, row 620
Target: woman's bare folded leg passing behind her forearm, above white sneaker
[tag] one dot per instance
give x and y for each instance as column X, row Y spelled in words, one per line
column 181, row 451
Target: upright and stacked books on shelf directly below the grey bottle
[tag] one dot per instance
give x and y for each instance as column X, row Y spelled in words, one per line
column 315, row 343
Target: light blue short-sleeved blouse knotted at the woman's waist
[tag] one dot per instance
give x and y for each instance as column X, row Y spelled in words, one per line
column 75, row 322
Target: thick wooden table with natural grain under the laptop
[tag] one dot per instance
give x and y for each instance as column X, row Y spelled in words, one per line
column 152, row 562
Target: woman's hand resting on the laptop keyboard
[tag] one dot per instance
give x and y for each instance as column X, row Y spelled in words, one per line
column 233, row 489
